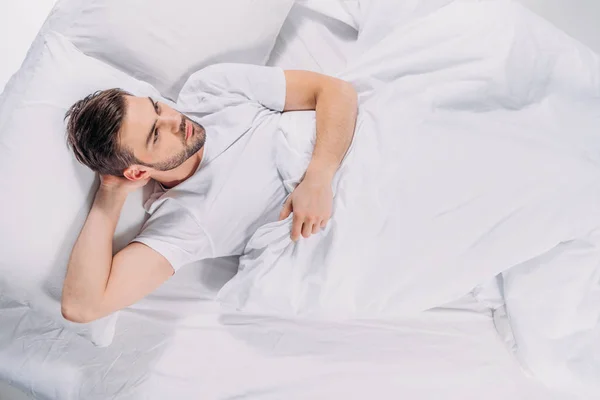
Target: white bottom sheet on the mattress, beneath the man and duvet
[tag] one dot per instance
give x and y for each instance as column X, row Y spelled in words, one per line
column 177, row 343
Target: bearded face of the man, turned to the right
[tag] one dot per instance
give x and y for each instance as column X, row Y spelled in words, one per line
column 159, row 136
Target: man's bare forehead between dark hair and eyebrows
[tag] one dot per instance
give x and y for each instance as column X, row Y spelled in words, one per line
column 139, row 118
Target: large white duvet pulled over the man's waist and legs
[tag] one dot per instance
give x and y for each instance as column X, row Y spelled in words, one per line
column 476, row 149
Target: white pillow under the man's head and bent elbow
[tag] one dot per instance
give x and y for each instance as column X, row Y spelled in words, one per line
column 47, row 194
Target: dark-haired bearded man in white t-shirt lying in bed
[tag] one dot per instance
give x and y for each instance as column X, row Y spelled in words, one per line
column 216, row 181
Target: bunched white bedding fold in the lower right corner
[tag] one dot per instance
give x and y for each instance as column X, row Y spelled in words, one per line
column 553, row 307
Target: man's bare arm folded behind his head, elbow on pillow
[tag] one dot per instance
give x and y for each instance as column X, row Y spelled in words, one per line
column 98, row 284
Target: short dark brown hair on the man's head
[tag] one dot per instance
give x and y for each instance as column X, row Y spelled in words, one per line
column 93, row 132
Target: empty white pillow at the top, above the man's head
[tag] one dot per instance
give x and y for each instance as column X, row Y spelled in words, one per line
column 163, row 42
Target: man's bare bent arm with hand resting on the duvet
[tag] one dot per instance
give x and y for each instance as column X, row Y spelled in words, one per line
column 335, row 102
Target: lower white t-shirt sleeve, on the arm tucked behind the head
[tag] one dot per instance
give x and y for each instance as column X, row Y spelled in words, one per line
column 174, row 233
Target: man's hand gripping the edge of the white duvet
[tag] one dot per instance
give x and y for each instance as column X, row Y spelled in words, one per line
column 311, row 203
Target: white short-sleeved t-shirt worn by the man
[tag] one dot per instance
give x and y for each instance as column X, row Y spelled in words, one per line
column 237, row 187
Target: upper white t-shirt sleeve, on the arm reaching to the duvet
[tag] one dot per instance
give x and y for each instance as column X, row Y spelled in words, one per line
column 244, row 82
